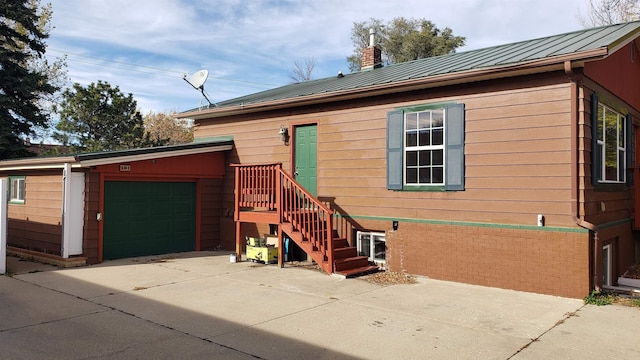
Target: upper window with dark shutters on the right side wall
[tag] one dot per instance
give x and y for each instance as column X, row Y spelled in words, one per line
column 611, row 143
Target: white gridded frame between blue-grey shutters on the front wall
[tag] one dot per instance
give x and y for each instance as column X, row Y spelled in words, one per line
column 424, row 116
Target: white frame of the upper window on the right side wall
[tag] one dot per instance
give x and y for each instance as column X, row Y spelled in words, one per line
column 620, row 146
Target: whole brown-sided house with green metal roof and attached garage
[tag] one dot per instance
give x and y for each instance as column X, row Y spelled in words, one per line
column 511, row 166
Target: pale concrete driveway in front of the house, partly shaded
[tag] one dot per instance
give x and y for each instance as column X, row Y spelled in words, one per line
column 199, row 305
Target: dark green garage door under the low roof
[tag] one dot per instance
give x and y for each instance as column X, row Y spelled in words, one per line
column 148, row 218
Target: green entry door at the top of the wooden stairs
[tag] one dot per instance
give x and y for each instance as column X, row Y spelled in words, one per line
column 306, row 157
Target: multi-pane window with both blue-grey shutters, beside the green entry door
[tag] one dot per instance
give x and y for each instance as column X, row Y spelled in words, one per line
column 425, row 148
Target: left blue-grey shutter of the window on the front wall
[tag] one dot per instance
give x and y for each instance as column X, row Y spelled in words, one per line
column 395, row 134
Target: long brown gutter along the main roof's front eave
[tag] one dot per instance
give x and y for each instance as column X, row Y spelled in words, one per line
column 538, row 66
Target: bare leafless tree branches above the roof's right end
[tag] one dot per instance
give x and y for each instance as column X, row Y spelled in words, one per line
column 609, row 12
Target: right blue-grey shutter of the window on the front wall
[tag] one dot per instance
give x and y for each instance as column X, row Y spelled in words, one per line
column 454, row 150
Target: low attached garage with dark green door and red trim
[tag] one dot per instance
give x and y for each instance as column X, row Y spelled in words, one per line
column 76, row 209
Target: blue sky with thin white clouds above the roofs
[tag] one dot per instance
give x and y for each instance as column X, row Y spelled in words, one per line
column 145, row 47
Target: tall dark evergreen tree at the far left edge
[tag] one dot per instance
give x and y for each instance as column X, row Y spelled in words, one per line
column 21, row 87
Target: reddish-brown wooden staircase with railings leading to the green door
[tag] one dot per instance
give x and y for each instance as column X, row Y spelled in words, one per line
column 265, row 193
